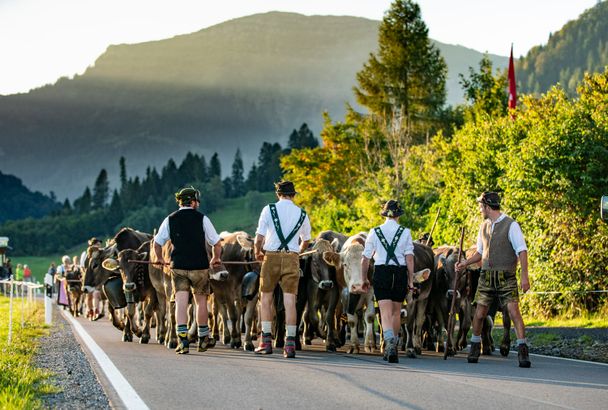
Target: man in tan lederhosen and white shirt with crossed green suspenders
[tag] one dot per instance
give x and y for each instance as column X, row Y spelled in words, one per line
column 276, row 244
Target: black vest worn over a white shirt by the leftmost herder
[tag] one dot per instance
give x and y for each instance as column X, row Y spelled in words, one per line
column 188, row 238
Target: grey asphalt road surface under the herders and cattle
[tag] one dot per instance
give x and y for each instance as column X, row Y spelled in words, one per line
column 222, row 378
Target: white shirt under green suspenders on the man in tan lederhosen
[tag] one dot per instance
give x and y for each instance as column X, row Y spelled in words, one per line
column 289, row 214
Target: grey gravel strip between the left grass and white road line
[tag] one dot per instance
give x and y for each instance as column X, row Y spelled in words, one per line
column 61, row 354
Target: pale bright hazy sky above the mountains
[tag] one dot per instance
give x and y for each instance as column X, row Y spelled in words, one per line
column 42, row 40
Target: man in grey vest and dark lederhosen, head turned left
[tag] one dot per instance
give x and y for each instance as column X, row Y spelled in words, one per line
column 500, row 244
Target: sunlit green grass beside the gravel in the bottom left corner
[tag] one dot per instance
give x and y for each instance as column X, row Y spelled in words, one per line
column 21, row 384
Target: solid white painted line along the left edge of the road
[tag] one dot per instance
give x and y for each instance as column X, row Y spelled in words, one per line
column 119, row 383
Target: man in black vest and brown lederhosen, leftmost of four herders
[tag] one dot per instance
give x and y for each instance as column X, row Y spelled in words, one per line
column 188, row 230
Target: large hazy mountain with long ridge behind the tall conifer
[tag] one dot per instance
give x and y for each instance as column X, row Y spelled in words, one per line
column 233, row 85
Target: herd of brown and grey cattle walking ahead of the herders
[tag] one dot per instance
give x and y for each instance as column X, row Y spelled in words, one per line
column 328, row 304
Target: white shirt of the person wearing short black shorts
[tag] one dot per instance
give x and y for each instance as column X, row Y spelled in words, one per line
column 373, row 246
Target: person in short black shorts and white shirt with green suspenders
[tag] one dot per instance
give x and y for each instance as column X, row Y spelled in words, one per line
column 391, row 246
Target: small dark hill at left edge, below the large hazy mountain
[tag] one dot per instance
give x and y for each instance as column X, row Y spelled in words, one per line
column 18, row 202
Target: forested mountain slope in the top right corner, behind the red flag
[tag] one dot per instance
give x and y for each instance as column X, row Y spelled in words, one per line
column 578, row 47
